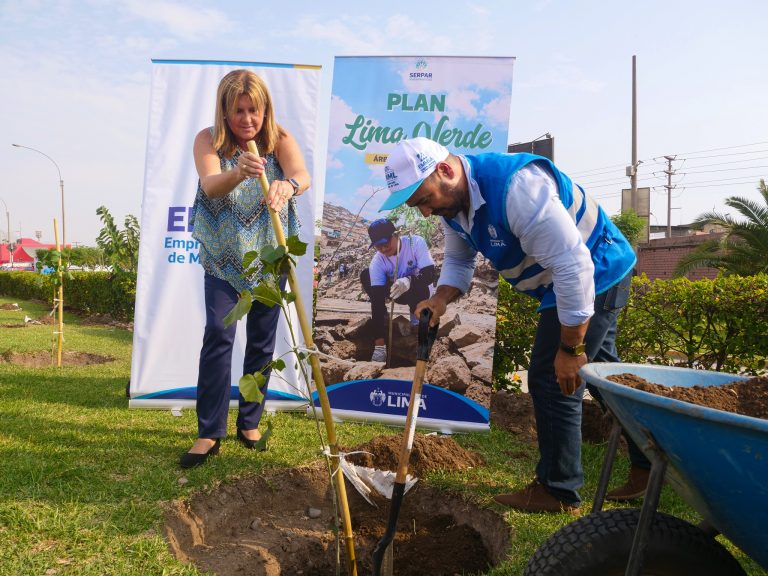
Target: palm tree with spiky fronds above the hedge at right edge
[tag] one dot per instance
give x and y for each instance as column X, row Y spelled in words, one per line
column 743, row 248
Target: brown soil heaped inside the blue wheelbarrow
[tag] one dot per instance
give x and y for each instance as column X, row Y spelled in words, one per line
column 746, row 397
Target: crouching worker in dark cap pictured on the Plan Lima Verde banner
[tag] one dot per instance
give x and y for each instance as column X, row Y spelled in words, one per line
column 410, row 257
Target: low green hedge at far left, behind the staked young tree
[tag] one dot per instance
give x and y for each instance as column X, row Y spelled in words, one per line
column 88, row 292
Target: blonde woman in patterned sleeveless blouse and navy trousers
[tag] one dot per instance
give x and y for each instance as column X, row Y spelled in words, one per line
column 230, row 219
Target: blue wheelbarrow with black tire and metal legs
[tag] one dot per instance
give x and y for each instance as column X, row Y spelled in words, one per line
column 716, row 461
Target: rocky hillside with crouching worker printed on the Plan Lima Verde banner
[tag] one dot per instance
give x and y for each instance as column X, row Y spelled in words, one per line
column 390, row 265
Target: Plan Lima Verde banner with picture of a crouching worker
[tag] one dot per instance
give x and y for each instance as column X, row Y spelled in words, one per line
column 464, row 104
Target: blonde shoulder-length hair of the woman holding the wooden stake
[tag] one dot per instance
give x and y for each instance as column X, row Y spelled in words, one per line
column 231, row 87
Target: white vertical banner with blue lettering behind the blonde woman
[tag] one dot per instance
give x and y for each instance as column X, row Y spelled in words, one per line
column 170, row 311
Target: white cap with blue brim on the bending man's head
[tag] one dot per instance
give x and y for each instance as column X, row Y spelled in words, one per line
column 408, row 165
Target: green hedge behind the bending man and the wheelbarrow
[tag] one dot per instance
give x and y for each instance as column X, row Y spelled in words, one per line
column 719, row 324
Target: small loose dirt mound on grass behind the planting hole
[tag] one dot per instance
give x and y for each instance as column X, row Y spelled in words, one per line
column 429, row 453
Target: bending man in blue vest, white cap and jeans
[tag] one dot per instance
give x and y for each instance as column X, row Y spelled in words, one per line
column 549, row 240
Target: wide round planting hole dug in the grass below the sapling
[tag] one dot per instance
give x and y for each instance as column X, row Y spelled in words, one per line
column 282, row 523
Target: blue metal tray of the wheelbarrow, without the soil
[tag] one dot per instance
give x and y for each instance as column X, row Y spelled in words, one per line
column 717, row 461
